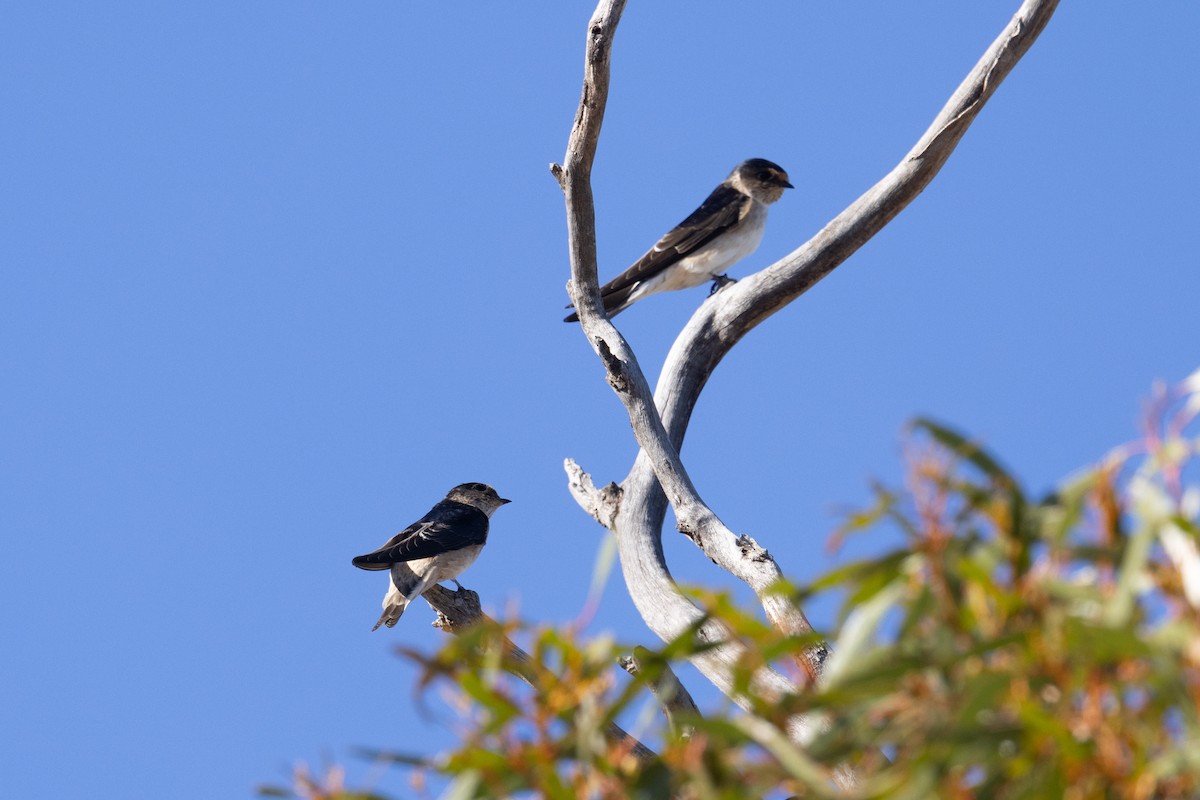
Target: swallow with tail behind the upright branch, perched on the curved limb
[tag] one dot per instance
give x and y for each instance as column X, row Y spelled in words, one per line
column 725, row 228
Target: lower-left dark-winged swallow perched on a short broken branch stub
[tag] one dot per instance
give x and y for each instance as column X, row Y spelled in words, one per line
column 437, row 548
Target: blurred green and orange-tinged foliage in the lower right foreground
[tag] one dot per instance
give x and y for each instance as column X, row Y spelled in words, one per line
column 1011, row 648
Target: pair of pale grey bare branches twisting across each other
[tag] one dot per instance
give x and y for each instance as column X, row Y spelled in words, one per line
column 722, row 322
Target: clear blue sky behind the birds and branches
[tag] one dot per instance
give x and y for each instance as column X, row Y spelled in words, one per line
column 279, row 275
